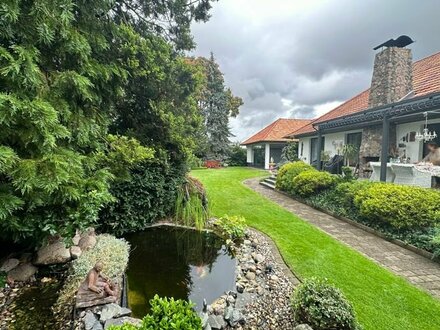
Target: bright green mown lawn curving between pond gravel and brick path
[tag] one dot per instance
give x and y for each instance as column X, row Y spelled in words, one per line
column 381, row 299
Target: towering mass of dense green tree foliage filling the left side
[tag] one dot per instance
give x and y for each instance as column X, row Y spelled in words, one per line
column 73, row 72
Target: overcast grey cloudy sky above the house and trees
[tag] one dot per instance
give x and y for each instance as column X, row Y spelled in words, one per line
column 301, row 58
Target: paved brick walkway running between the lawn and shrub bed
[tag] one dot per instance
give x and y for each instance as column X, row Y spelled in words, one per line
column 418, row 270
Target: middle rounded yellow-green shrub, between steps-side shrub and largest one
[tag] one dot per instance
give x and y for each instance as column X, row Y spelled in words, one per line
column 310, row 182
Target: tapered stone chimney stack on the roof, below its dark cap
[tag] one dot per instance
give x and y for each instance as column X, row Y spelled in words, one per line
column 392, row 76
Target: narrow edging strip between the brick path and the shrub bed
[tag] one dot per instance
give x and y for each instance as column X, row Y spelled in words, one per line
column 370, row 230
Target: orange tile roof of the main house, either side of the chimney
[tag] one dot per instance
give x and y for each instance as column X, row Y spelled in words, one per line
column 426, row 80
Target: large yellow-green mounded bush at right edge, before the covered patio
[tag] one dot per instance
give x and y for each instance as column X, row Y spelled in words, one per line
column 399, row 206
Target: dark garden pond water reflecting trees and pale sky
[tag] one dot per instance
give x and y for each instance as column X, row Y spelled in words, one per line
column 179, row 263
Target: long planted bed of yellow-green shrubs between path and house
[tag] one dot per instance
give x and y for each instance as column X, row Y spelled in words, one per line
column 410, row 214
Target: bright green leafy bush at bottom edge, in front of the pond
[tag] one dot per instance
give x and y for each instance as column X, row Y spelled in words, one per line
column 167, row 314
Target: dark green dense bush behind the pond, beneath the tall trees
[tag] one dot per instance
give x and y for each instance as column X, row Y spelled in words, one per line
column 148, row 195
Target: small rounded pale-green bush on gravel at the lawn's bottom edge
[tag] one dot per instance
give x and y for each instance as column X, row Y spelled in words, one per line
column 322, row 306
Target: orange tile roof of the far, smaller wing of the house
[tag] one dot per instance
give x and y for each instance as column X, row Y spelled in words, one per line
column 276, row 131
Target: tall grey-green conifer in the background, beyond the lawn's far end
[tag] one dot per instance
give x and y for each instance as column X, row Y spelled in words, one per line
column 217, row 104
